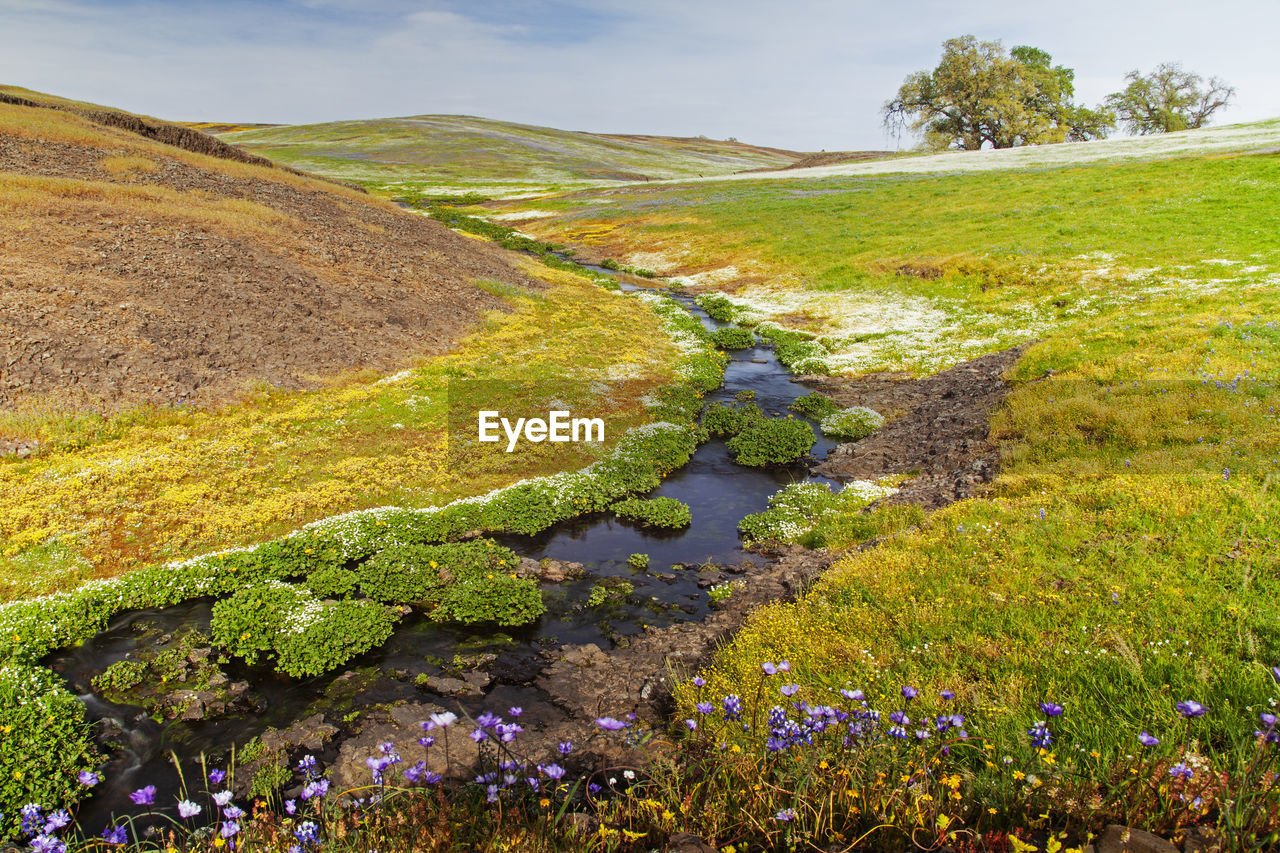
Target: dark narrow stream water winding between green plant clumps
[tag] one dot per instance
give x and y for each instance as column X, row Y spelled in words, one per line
column 717, row 492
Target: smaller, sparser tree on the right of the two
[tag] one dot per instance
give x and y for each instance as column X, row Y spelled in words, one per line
column 1168, row 99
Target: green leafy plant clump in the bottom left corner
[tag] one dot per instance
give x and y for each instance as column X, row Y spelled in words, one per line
column 45, row 742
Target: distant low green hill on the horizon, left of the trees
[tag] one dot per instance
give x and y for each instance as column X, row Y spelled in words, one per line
column 461, row 149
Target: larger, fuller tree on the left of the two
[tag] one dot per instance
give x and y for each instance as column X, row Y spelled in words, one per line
column 980, row 94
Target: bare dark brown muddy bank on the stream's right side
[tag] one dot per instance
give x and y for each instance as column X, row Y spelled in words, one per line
column 938, row 428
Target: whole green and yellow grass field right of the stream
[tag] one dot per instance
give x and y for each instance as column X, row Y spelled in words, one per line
column 1123, row 562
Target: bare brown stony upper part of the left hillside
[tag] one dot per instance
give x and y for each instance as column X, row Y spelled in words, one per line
column 132, row 271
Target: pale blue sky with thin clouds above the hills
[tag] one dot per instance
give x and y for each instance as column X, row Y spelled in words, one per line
column 806, row 75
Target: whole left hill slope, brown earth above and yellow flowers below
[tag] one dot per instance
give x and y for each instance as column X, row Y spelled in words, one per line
column 198, row 353
